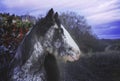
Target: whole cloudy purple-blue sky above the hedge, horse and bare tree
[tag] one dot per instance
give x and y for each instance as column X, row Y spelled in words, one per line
column 102, row 15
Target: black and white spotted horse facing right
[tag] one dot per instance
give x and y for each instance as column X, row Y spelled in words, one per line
column 45, row 41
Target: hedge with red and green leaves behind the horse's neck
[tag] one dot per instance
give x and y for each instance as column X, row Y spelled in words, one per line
column 12, row 31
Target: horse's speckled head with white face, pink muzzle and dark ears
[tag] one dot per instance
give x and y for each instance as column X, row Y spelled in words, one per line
column 57, row 39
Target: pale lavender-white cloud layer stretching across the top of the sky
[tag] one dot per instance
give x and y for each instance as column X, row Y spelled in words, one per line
column 93, row 10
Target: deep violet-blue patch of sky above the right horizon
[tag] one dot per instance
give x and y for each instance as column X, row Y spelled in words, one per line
column 108, row 31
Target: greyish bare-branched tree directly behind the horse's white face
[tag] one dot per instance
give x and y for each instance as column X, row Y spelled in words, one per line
column 82, row 32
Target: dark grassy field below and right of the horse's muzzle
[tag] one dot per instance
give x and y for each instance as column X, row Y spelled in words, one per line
column 97, row 67
